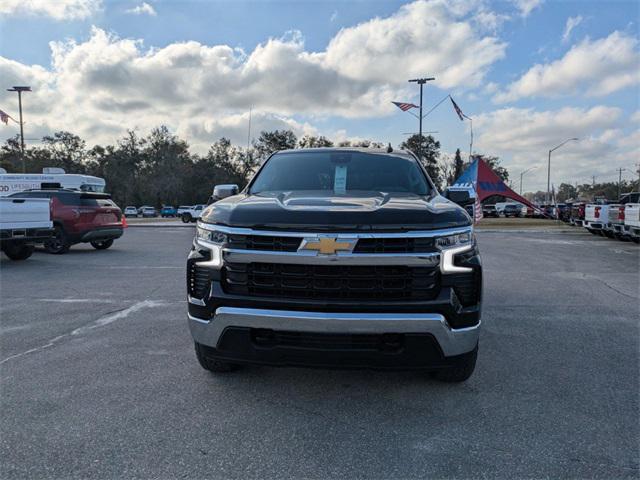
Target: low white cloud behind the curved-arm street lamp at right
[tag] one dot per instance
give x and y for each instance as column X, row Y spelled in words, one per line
column 522, row 137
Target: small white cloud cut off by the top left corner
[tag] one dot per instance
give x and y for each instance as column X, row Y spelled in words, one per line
column 57, row 9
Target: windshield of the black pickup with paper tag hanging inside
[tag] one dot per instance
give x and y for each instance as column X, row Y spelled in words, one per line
column 341, row 172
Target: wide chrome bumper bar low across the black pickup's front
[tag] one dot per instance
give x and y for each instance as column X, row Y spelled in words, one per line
column 452, row 341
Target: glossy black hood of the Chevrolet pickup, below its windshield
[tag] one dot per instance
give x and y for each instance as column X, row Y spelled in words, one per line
column 318, row 211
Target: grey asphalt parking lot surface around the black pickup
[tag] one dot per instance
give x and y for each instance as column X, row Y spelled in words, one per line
column 99, row 378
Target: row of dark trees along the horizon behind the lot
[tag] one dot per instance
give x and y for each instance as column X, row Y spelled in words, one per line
column 159, row 168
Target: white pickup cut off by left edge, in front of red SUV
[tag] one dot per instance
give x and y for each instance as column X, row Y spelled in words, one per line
column 24, row 222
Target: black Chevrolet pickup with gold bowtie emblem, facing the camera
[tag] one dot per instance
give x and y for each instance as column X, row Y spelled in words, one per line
column 336, row 257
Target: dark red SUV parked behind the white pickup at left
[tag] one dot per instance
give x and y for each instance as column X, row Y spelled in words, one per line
column 80, row 217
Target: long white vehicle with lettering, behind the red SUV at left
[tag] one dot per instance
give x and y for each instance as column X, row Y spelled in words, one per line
column 19, row 182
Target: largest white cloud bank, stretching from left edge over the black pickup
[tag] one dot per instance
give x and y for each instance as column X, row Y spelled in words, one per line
column 100, row 87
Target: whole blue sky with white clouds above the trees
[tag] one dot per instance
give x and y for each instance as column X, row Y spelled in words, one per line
column 530, row 73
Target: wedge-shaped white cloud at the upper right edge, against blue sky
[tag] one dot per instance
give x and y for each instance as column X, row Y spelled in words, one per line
column 597, row 68
